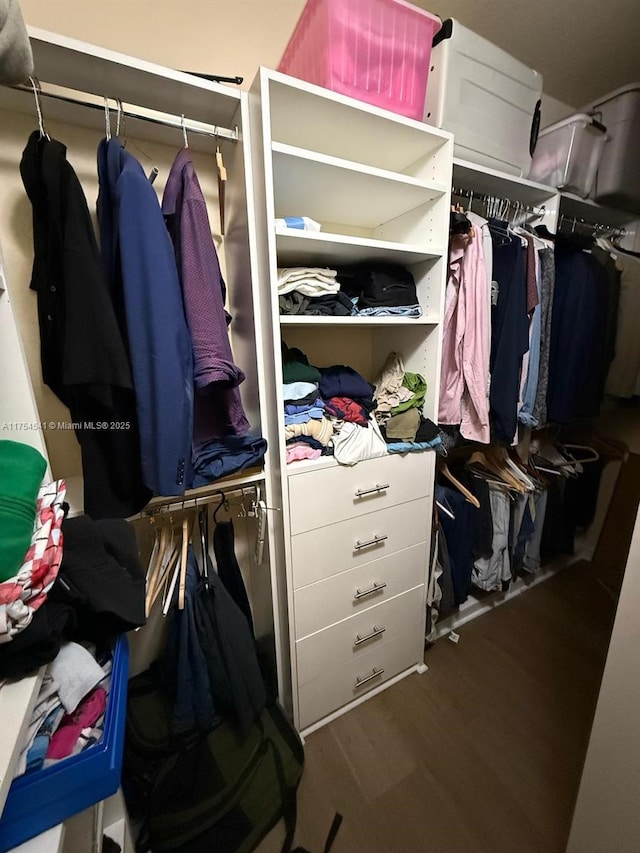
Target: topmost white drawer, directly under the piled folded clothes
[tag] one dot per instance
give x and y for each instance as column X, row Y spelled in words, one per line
column 318, row 498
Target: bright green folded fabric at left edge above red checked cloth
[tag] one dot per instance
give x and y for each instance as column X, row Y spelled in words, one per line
column 22, row 468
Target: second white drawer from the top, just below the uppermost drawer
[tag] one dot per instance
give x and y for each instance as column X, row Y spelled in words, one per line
column 323, row 553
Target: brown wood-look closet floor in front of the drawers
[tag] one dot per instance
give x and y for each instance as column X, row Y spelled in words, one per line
column 483, row 753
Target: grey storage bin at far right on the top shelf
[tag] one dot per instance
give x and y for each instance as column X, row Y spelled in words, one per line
column 618, row 178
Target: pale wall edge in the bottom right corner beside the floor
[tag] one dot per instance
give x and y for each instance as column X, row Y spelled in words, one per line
column 607, row 815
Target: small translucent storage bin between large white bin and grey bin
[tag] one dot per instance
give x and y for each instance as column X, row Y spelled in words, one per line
column 568, row 153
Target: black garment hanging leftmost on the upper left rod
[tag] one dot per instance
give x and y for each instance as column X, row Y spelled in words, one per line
column 83, row 348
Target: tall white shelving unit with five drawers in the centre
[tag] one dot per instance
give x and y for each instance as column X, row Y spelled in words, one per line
column 356, row 539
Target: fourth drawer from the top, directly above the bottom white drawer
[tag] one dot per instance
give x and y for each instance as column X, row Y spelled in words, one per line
column 356, row 637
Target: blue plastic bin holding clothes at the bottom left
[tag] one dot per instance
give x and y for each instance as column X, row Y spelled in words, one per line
column 40, row 800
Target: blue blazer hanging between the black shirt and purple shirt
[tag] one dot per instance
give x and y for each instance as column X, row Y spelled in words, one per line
column 141, row 268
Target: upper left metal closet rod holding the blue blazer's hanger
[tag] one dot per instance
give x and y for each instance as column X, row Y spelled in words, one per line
column 97, row 102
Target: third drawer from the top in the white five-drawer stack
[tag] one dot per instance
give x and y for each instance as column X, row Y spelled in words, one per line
column 321, row 604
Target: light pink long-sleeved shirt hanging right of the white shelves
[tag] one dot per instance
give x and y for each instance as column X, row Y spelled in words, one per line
column 465, row 347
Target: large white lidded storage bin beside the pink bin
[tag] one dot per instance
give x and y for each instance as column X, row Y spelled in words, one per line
column 485, row 97
